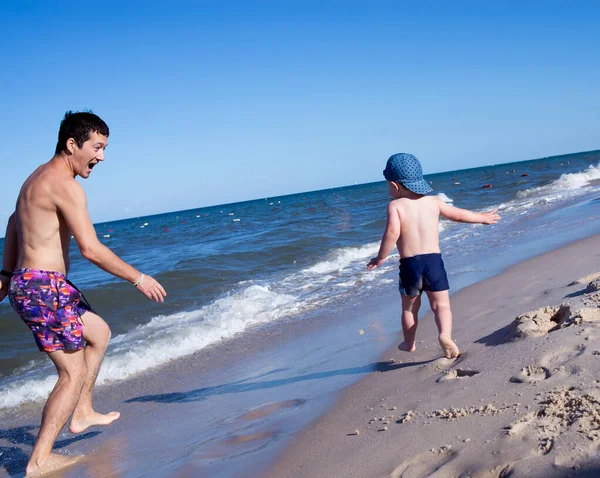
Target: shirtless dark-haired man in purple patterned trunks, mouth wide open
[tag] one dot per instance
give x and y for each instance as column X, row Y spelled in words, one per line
column 50, row 208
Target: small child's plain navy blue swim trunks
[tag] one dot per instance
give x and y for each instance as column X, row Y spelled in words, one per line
column 422, row 272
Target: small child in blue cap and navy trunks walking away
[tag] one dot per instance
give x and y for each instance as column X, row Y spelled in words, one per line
column 412, row 226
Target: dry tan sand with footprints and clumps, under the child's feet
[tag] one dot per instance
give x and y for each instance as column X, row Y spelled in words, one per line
column 522, row 400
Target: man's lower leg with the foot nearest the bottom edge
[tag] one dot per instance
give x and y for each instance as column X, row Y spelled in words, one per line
column 72, row 371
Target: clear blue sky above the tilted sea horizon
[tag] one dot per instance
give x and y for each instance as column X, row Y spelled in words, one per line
column 215, row 102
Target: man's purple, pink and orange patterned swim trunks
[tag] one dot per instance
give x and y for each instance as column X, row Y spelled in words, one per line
column 50, row 306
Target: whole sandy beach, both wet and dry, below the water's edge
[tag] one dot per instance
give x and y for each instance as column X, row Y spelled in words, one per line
column 522, row 399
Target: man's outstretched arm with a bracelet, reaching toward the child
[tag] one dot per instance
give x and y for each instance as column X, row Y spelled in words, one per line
column 72, row 204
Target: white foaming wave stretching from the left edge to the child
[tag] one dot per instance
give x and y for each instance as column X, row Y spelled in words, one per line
column 170, row 337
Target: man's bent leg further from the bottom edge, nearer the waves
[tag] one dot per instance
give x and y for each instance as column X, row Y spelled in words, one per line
column 96, row 334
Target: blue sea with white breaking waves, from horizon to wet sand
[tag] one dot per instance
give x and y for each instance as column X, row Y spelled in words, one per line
column 232, row 268
